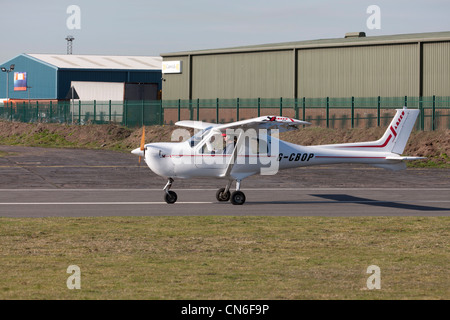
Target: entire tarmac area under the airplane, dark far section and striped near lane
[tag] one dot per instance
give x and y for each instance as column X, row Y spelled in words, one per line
column 41, row 182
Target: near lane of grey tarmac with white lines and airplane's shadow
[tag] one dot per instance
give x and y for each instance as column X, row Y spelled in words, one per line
column 265, row 202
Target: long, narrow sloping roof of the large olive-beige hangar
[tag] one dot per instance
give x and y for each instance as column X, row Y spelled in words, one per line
column 335, row 42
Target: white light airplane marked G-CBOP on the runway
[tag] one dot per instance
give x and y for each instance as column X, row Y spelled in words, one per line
column 237, row 150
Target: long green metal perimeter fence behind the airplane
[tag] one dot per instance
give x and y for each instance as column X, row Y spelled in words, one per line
column 352, row 112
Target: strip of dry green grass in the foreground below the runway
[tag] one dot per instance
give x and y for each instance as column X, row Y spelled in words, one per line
column 224, row 257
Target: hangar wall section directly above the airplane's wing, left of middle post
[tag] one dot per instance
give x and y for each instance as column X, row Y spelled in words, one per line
column 243, row 75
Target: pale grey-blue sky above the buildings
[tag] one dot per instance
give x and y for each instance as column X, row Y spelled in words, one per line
column 149, row 28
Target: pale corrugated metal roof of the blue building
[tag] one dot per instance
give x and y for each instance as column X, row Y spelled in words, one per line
column 70, row 61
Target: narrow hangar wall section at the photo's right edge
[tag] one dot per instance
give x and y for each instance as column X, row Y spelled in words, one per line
column 436, row 69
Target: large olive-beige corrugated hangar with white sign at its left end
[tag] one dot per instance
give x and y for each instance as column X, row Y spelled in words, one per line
column 355, row 66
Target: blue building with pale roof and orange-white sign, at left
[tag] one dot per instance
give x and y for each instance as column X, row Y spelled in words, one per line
column 50, row 77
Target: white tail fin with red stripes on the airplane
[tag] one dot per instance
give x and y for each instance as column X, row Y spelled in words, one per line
column 394, row 139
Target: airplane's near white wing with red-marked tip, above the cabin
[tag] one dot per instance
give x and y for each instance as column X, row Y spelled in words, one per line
column 283, row 124
